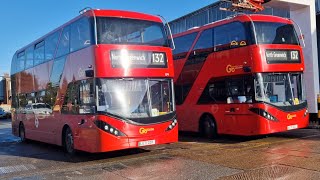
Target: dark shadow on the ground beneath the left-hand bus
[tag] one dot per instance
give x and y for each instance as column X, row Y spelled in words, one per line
column 39, row 150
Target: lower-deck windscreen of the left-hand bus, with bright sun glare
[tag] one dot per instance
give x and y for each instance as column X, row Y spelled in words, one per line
column 135, row 98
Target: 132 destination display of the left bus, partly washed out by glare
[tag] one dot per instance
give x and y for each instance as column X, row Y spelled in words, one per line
column 138, row 59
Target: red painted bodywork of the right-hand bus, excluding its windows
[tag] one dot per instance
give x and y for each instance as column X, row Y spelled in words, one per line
column 247, row 60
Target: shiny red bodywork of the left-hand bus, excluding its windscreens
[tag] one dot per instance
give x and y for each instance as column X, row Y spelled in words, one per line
column 49, row 127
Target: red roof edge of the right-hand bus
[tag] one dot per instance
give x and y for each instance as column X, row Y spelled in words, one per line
column 239, row 17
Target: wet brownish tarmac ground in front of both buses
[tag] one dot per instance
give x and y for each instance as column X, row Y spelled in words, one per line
column 290, row 155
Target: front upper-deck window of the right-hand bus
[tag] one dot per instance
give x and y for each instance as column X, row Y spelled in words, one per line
column 275, row 33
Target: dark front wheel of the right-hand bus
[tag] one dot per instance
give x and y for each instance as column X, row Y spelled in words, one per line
column 208, row 127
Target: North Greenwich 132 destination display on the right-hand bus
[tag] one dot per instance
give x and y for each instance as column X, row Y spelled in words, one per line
column 283, row 56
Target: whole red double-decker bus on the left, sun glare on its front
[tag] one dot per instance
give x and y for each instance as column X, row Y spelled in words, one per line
column 101, row 82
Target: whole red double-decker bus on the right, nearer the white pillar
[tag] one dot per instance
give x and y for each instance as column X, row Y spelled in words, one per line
column 242, row 75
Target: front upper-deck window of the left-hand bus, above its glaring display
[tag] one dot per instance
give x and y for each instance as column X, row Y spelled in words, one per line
column 130, row 31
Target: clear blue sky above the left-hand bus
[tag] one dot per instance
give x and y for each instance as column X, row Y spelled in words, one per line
column 26, row 20
